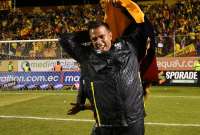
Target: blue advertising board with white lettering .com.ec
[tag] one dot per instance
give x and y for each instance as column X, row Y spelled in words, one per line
column 39, row 78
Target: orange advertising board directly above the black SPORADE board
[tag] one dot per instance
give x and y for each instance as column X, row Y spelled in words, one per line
column 176, row 63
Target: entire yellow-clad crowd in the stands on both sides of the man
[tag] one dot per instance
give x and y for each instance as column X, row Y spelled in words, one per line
column 178, row 22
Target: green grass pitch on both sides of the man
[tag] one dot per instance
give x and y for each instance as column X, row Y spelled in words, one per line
column 170, row 111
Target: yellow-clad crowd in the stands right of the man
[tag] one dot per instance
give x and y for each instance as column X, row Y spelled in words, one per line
column 176, row 26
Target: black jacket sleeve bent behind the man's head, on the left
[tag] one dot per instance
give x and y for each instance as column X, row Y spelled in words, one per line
column 72, row 43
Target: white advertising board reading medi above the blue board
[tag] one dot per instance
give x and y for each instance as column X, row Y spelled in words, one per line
column 47, row 65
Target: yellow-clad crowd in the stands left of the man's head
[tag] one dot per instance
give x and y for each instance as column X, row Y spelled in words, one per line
column 47, row 23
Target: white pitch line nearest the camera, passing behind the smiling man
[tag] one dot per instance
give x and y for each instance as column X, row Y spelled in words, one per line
column 89, row 120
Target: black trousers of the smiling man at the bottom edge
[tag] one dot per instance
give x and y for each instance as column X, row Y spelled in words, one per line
column 136, row 128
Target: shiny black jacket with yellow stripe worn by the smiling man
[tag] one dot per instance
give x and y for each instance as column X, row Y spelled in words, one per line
column 117, row 93
